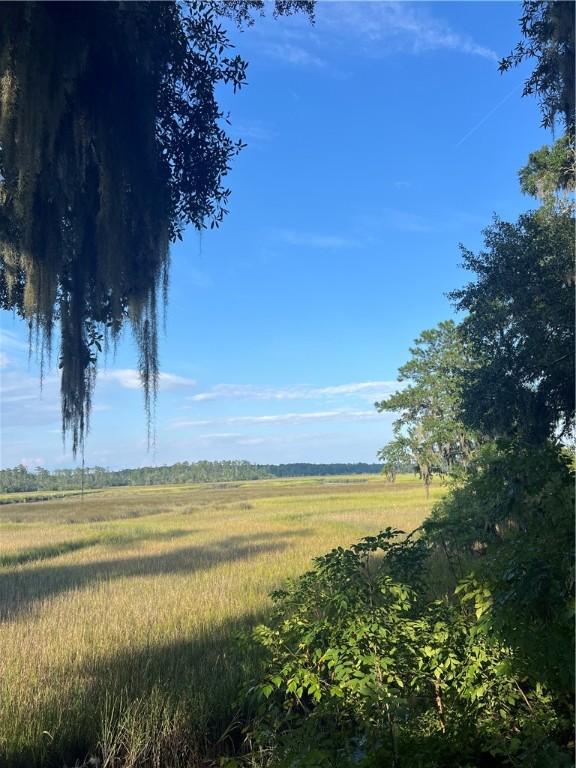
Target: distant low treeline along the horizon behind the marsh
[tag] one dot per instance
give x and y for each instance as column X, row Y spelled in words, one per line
column 20, row 479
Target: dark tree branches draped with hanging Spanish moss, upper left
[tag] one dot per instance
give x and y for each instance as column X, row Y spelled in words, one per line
column 112, row 142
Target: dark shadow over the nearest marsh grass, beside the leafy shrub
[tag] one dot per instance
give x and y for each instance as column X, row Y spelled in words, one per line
column 168, row 703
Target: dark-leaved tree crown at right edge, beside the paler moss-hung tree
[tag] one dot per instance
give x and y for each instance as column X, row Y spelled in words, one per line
column 520, row 328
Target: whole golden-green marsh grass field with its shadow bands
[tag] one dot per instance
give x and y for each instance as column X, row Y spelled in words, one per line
column 118, row 612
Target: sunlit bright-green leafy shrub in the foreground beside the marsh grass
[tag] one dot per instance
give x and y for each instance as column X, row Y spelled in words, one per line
column 362, row 668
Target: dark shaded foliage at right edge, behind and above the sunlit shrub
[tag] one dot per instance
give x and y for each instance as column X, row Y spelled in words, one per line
column 515, row 513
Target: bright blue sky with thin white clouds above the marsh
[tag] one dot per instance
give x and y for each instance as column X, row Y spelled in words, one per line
column 378, row 140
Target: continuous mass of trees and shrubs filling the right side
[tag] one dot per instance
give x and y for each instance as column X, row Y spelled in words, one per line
column 455, row 646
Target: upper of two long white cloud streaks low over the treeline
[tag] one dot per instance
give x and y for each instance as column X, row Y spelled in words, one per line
column 374, row 389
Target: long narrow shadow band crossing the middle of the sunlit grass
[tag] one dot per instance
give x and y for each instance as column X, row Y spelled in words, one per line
column 22, row 589
